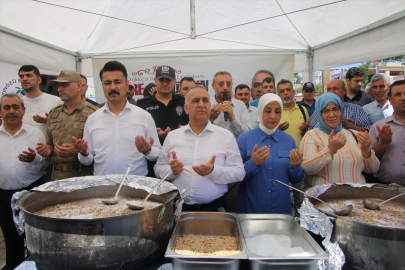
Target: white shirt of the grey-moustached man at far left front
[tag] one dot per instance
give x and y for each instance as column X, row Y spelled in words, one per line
column 15, row 174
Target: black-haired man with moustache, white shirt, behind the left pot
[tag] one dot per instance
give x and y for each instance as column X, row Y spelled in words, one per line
column 115, row 135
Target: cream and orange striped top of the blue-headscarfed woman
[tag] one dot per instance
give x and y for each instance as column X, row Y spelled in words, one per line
column 346, row 165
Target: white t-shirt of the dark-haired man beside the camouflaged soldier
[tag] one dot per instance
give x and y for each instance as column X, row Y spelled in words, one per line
column 39, row 105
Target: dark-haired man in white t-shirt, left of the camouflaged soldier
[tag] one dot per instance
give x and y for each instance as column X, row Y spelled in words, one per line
column 37, row 104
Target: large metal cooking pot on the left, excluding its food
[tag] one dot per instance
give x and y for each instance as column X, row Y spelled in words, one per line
column 123, row 242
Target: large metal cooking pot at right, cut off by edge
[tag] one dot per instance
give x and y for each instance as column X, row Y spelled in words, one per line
column 367, row 246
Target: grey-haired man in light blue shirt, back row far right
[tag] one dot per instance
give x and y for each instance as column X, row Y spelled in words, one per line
column 380, row 108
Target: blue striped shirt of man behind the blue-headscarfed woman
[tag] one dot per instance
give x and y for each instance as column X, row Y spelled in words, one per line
column 354, row 113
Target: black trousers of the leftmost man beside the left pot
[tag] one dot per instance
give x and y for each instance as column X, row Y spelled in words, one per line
column 14, row 243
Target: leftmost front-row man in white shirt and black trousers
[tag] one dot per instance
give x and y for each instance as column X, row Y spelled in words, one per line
column 20, row 168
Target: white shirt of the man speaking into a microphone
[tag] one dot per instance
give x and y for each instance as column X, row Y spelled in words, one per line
column 242, row 120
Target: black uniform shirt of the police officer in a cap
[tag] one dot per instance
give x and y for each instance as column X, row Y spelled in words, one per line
column 172, row 115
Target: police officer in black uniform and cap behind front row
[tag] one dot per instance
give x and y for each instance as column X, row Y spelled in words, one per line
column 166, row 107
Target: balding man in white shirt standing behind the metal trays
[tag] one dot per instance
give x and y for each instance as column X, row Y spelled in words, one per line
column 203, row 158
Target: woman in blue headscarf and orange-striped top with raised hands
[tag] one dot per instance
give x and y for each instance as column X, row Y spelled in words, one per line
column 333, row 154
